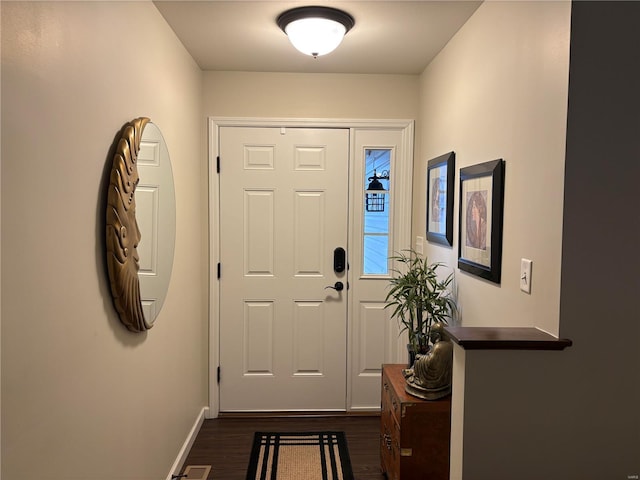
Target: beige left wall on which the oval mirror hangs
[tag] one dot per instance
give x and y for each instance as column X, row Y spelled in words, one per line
column 81, row 396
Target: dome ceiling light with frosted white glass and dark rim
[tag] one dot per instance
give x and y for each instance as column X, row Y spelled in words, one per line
column 315, row 30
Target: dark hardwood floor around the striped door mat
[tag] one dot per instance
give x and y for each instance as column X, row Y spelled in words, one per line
column 225, row 443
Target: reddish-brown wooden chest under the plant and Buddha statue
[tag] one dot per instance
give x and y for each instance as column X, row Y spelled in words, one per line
column 414, row 433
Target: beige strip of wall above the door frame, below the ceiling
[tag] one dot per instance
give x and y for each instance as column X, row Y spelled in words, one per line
column 288, row 95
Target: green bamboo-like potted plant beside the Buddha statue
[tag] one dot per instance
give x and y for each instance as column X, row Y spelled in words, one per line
column 419, row 299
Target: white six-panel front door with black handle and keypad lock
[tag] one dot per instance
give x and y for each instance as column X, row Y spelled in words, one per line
column 283, row 212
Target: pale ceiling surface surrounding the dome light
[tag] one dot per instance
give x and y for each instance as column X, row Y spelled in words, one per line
column 389, row 37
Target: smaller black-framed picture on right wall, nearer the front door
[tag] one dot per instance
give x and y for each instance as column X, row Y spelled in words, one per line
column 440, row 188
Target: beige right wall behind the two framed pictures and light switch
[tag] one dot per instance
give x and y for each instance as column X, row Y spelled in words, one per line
column 499, row 90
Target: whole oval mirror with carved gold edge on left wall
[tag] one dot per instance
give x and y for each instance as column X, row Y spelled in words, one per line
column 140, row 224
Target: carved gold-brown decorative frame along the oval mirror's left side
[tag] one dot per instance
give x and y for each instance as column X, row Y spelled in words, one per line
column 123, row 234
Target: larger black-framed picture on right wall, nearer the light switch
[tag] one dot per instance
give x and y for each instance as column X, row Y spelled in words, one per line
column 481, row 219
